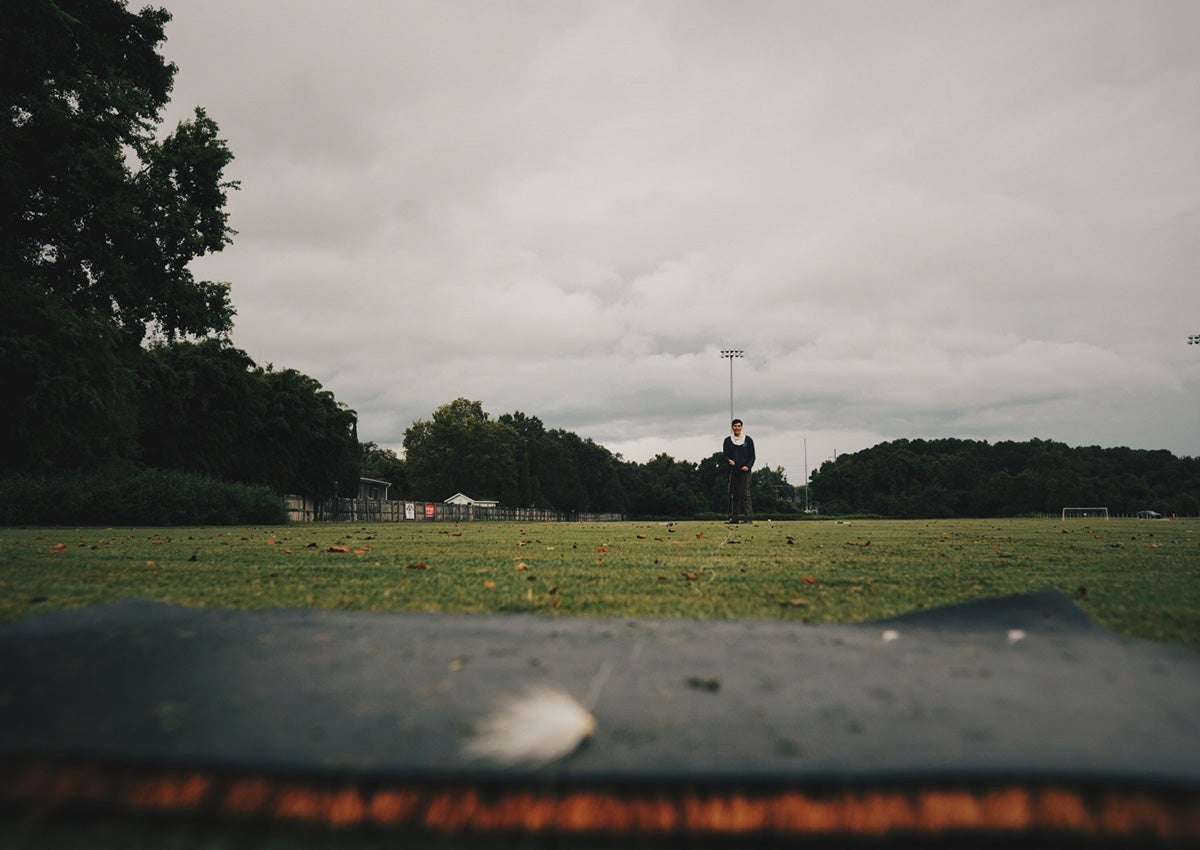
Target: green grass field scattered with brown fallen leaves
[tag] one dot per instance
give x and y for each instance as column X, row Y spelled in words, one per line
column 1141, row 578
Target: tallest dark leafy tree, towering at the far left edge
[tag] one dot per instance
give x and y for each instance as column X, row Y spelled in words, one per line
column 99, row 222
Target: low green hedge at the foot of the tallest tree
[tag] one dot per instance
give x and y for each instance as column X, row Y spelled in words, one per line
column 142, row 498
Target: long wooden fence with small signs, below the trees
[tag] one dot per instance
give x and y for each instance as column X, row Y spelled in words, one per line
column 397, row 511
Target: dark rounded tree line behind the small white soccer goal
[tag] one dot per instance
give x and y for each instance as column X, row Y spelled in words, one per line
column 946, row 478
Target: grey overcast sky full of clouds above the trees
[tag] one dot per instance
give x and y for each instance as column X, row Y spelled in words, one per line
column 920, row 219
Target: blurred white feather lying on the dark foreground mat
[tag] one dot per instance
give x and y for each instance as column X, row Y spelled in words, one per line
column 537, row 728
